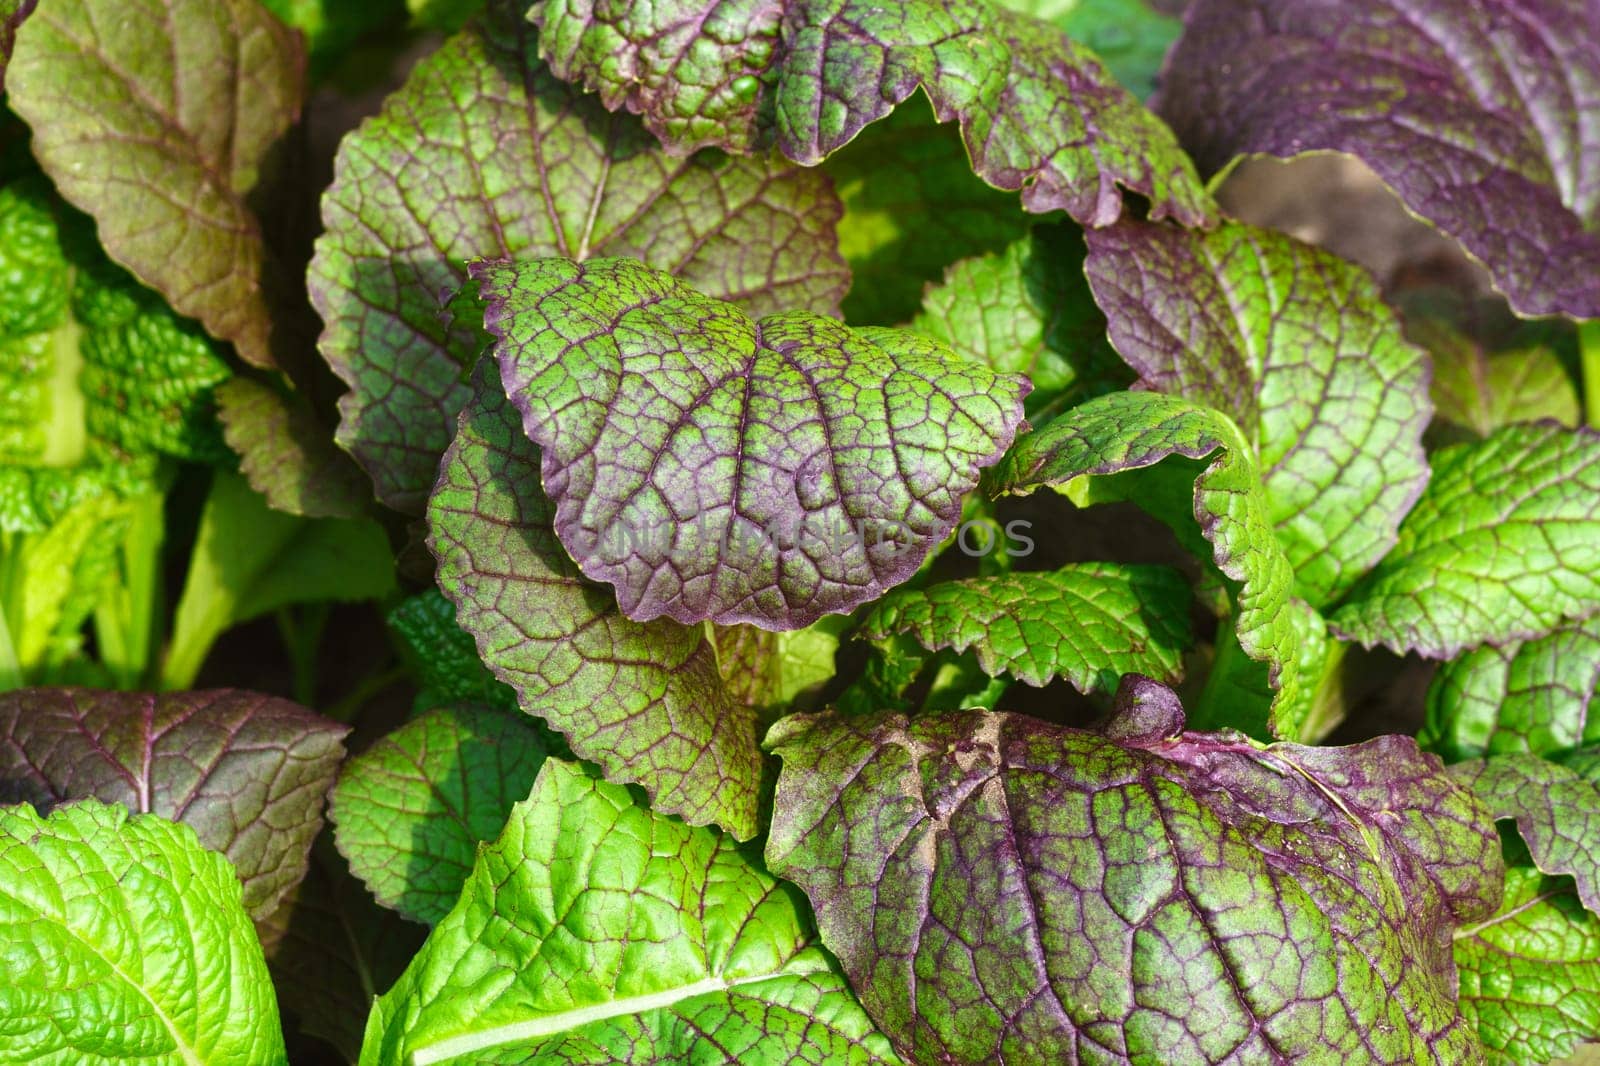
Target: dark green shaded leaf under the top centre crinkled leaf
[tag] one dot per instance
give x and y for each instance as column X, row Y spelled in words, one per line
column 913, row 206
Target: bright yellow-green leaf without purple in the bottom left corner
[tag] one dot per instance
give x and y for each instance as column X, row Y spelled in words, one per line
column 127, row 942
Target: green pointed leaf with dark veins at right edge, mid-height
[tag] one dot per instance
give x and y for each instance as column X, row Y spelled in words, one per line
column 1505, row 545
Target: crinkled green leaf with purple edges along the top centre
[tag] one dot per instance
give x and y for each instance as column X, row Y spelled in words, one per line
column 1038, row 111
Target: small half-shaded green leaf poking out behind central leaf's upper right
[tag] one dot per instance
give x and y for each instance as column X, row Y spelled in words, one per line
column 1026, row 310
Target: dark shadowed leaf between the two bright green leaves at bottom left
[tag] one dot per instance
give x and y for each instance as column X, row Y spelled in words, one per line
column 332, row 952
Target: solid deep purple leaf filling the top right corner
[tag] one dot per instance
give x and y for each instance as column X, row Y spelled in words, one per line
column 1474, row 111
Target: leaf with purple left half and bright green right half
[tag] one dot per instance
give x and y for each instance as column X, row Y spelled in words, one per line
column 1300, row 350
